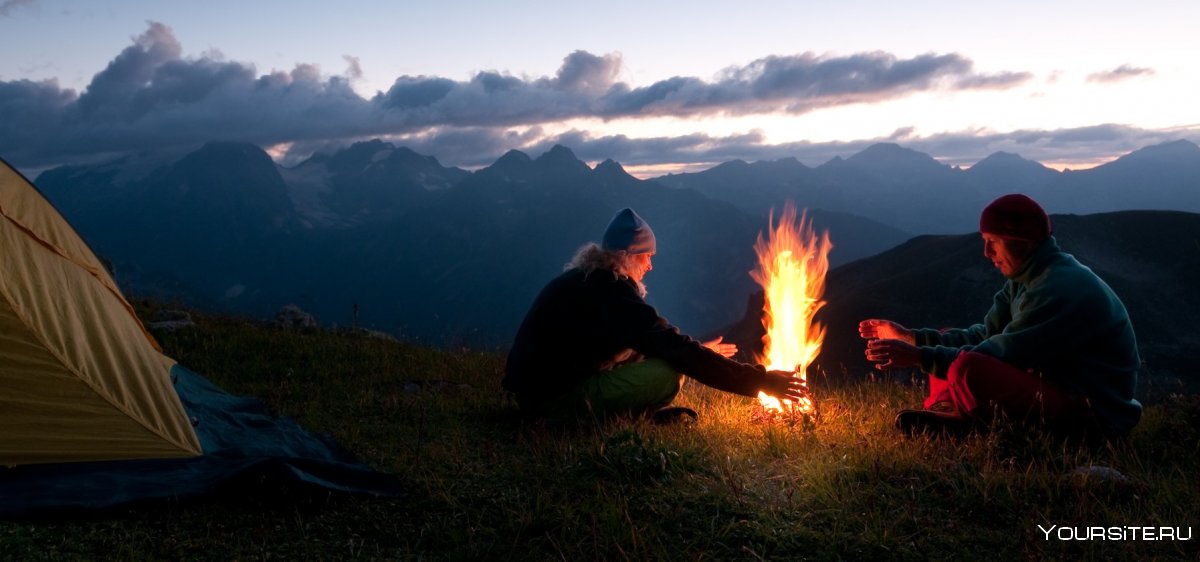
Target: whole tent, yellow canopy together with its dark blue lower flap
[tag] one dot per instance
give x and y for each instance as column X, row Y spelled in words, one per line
column 93, row 415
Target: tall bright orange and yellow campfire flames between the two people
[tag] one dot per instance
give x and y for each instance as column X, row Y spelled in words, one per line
column 793, row 266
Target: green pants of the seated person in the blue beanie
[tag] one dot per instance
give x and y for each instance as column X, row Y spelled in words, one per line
column 633, row 388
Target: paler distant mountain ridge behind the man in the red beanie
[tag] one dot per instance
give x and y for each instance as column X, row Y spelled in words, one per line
column 913, row 192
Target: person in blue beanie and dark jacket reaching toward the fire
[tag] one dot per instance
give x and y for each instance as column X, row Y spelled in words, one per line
column 592, row 346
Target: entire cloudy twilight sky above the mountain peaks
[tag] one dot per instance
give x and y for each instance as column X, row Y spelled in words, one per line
column 657, row 86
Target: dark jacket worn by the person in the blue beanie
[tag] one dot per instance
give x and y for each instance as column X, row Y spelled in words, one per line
column 581, row 321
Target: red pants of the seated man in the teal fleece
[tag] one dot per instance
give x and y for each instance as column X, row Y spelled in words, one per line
column 985, row 388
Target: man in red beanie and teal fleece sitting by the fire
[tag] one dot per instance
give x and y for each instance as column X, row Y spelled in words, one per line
column 1057, row 350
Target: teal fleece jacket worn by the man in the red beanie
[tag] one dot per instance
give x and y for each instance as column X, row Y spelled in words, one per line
column 1054, row 316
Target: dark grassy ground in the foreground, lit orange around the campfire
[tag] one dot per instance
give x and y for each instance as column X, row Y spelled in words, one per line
column 484, row 486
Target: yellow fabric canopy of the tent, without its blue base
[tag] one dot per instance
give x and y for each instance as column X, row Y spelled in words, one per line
column 81, row 380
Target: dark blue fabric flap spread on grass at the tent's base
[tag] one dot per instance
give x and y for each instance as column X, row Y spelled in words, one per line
column 244, row 446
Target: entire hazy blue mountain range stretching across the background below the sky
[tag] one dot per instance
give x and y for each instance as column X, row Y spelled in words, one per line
column 443, row 255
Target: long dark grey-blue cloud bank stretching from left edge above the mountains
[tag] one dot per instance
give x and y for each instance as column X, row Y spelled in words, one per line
column 151, row 95
